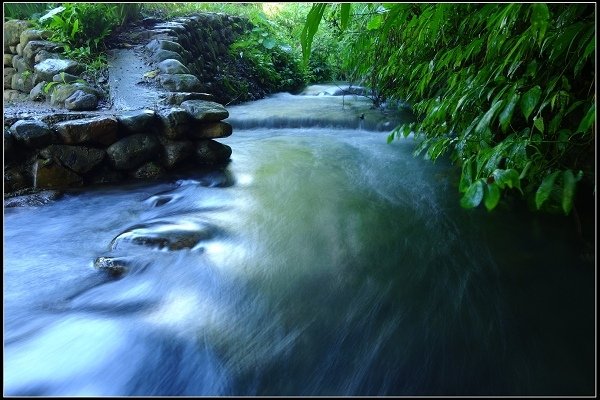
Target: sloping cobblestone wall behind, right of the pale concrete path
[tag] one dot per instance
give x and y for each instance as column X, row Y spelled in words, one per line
column 192, row 55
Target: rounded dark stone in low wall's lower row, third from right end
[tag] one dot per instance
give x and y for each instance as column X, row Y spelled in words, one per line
column 132, row 151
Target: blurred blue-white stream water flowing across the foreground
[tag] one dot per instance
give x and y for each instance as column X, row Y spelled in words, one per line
column 321, row 261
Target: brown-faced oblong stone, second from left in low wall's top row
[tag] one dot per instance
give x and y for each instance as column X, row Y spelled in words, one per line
column 98, row 130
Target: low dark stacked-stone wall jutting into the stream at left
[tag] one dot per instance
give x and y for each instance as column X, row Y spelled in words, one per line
column 75, row 149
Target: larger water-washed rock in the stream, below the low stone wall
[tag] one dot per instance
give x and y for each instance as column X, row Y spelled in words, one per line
column 172, row 235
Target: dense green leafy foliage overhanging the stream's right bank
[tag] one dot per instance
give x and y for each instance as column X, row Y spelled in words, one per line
column 507, row 90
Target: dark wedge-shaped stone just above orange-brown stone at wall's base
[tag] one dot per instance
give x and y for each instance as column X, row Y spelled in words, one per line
column 80, row 159
